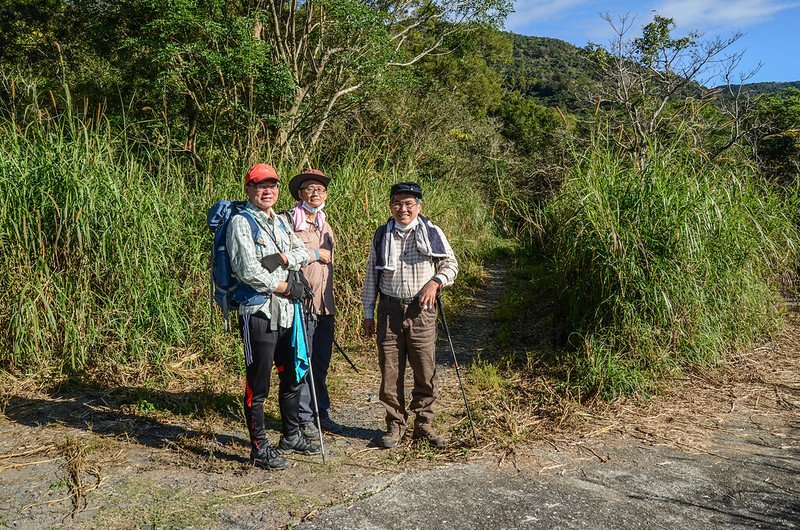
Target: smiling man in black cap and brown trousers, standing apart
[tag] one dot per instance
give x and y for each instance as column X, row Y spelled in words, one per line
column 410, row 261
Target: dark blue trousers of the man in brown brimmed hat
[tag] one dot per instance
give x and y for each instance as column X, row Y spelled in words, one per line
column 319, row 330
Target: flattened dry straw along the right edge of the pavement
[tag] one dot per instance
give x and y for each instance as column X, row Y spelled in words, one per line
column 696, row 411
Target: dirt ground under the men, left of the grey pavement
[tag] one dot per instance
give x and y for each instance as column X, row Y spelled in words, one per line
column 133, row 457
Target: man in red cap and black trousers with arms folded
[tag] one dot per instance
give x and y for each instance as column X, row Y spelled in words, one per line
column 266, row 316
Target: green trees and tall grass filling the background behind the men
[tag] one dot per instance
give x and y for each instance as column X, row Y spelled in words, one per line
column 660, row 221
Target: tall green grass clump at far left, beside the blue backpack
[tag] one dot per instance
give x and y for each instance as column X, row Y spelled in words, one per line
column 100, row 256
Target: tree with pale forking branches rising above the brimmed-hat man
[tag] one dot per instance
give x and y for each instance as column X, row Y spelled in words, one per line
column 338, row 52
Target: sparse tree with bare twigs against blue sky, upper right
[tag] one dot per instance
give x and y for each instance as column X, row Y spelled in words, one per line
column 653, row 83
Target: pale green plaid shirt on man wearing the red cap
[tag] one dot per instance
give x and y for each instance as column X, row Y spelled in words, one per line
column 246, row 261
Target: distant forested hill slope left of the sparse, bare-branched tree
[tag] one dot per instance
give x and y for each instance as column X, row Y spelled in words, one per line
column 551, row 70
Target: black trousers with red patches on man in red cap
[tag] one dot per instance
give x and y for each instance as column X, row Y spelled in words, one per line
column 262, row 347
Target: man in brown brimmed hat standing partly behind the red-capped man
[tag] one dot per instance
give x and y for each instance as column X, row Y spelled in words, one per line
column 308, row 218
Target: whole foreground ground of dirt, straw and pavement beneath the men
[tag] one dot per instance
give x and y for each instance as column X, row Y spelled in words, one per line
column 726, row 453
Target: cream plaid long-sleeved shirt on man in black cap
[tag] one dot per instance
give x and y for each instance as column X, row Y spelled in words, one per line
column 413, row 271
